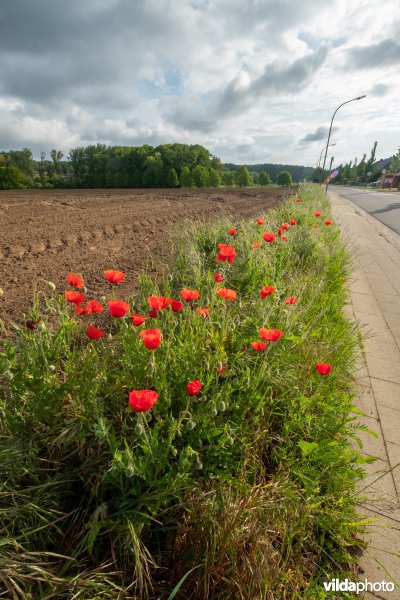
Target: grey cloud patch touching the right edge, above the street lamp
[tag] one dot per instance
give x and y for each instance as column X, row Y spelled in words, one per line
column 384, row 54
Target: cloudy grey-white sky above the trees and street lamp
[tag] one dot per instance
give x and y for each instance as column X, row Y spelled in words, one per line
column 252, row 80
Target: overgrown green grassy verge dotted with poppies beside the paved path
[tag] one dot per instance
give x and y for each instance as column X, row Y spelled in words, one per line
column 249, row 480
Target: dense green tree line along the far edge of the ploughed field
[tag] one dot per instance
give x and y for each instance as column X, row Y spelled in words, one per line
column 101, row 166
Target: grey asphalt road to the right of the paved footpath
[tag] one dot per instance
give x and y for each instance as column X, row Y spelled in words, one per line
column 384, row 206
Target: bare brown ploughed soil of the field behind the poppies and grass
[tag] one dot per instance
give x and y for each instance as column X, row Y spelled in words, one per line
column 46, row 234
